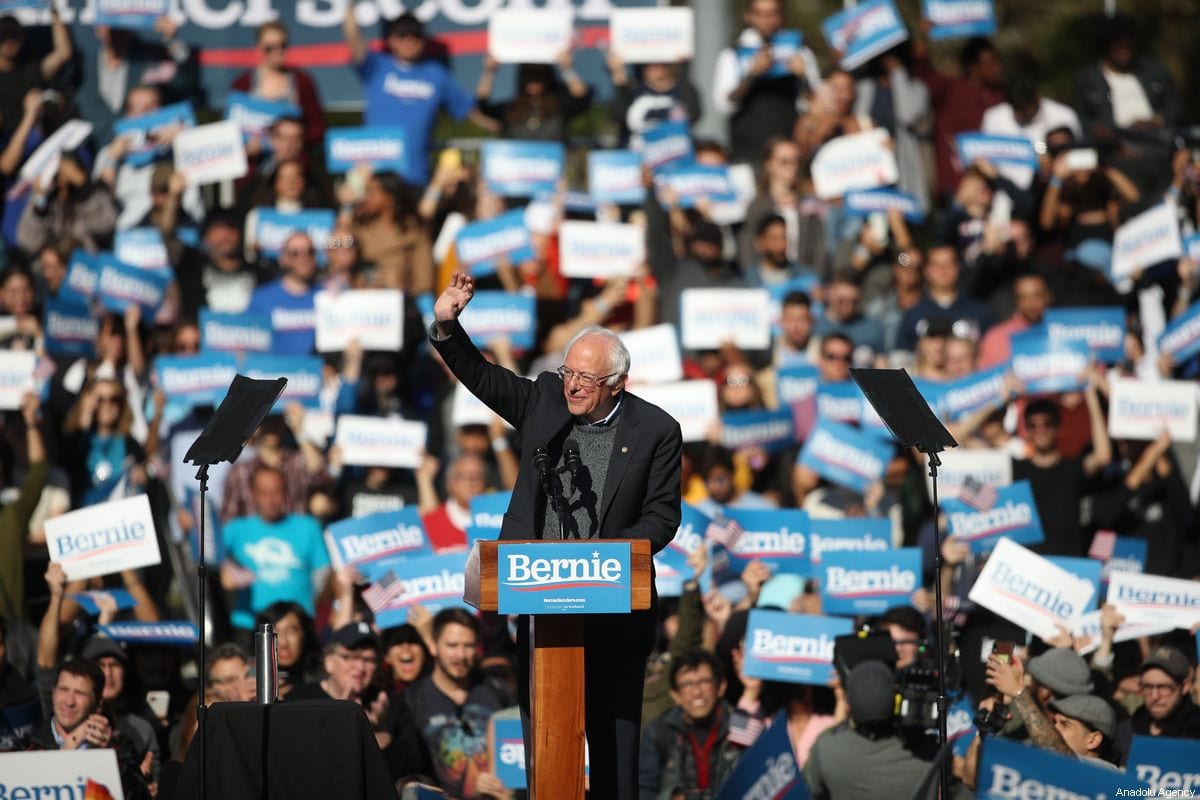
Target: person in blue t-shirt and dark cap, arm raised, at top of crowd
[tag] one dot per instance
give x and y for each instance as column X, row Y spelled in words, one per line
column 404, row 89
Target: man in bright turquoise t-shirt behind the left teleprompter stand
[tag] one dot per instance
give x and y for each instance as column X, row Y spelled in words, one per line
column 286, row 554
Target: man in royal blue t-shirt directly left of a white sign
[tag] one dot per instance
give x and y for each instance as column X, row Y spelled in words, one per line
column 290, row 300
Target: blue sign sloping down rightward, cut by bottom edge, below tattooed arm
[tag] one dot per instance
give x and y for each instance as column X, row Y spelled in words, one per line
column 1009, row 771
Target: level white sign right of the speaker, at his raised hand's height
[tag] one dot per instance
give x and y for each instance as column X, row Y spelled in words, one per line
column 713, row 317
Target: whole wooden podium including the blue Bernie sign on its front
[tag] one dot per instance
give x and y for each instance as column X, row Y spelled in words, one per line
column 557, row 584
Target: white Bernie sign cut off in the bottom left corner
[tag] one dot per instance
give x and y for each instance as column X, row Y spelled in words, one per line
column 76, row 774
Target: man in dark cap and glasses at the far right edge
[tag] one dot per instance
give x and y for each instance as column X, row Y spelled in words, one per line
column 1168, row 708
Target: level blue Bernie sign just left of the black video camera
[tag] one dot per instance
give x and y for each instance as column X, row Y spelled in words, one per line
column 793, row 648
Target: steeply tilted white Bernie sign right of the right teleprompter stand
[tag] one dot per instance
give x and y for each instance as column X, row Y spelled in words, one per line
column 1028, row 591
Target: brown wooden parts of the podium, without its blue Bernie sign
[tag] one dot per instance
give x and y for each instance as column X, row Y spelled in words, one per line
column 555, row 768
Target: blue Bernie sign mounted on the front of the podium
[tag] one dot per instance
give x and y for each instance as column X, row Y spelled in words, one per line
column 590, row 578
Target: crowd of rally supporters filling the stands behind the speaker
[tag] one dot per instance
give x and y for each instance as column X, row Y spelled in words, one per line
column 997, row 249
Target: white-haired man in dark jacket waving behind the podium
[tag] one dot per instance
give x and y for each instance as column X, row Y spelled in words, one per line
column 625, row 485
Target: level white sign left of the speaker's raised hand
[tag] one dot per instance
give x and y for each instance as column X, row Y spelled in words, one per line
column 374, row 317
